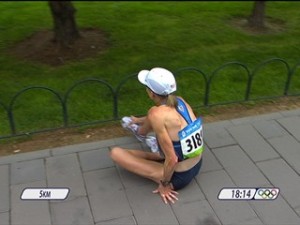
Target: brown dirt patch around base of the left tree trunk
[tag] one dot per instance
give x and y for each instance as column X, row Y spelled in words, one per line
column 40, row 47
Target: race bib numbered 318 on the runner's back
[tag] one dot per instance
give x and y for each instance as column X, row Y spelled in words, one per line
column 191, row 139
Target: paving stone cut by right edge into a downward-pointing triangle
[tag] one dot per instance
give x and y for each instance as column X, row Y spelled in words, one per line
column 289, row 149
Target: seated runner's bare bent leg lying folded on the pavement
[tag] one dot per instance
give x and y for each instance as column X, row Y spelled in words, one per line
column 139, row 162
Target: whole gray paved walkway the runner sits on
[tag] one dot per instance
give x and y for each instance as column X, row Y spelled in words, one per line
column 259, row 151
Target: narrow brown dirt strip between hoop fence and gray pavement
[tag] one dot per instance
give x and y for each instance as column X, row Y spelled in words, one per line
column 65, row 137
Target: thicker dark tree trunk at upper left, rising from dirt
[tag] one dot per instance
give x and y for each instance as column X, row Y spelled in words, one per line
column 65, row 28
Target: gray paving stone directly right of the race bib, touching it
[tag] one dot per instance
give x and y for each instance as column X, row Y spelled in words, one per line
column 217, row 136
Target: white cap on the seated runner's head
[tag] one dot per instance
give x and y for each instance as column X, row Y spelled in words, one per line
column 159, row 80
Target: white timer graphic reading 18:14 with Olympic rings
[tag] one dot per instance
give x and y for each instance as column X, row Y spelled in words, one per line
column 235, row 193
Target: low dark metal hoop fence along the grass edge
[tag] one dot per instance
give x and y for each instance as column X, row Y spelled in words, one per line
column 288, row 77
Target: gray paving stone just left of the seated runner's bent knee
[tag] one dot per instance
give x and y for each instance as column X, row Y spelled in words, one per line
column 95, row 159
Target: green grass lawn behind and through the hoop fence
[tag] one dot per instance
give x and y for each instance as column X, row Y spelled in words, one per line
column 144, row 35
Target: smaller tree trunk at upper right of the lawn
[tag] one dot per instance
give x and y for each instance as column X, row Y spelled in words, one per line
column 257, row 18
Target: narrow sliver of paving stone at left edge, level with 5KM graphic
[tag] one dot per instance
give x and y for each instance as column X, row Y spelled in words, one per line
column 4, row 189
